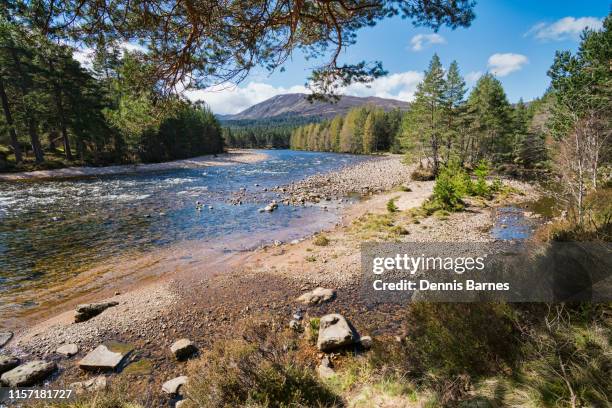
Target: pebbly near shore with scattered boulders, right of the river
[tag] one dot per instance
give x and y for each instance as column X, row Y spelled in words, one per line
column 287, row 282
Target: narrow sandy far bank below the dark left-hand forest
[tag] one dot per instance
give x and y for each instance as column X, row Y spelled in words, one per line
column 232, row 157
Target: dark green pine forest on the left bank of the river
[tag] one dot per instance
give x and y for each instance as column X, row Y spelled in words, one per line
column 55, row 112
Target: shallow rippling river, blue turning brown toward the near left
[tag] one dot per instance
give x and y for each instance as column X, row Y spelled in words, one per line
column 51, row 231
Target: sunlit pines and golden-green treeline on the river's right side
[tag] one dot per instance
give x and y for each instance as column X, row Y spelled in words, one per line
column 442, row 124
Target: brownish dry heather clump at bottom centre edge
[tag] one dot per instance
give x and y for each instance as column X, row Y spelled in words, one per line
column 261, row 368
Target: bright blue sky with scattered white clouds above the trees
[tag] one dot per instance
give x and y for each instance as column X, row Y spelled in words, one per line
column 516, row 40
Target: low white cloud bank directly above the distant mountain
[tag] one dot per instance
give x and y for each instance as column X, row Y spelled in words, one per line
column 233, row 99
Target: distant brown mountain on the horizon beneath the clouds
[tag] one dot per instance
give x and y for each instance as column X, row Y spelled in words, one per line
column 296, row 105
